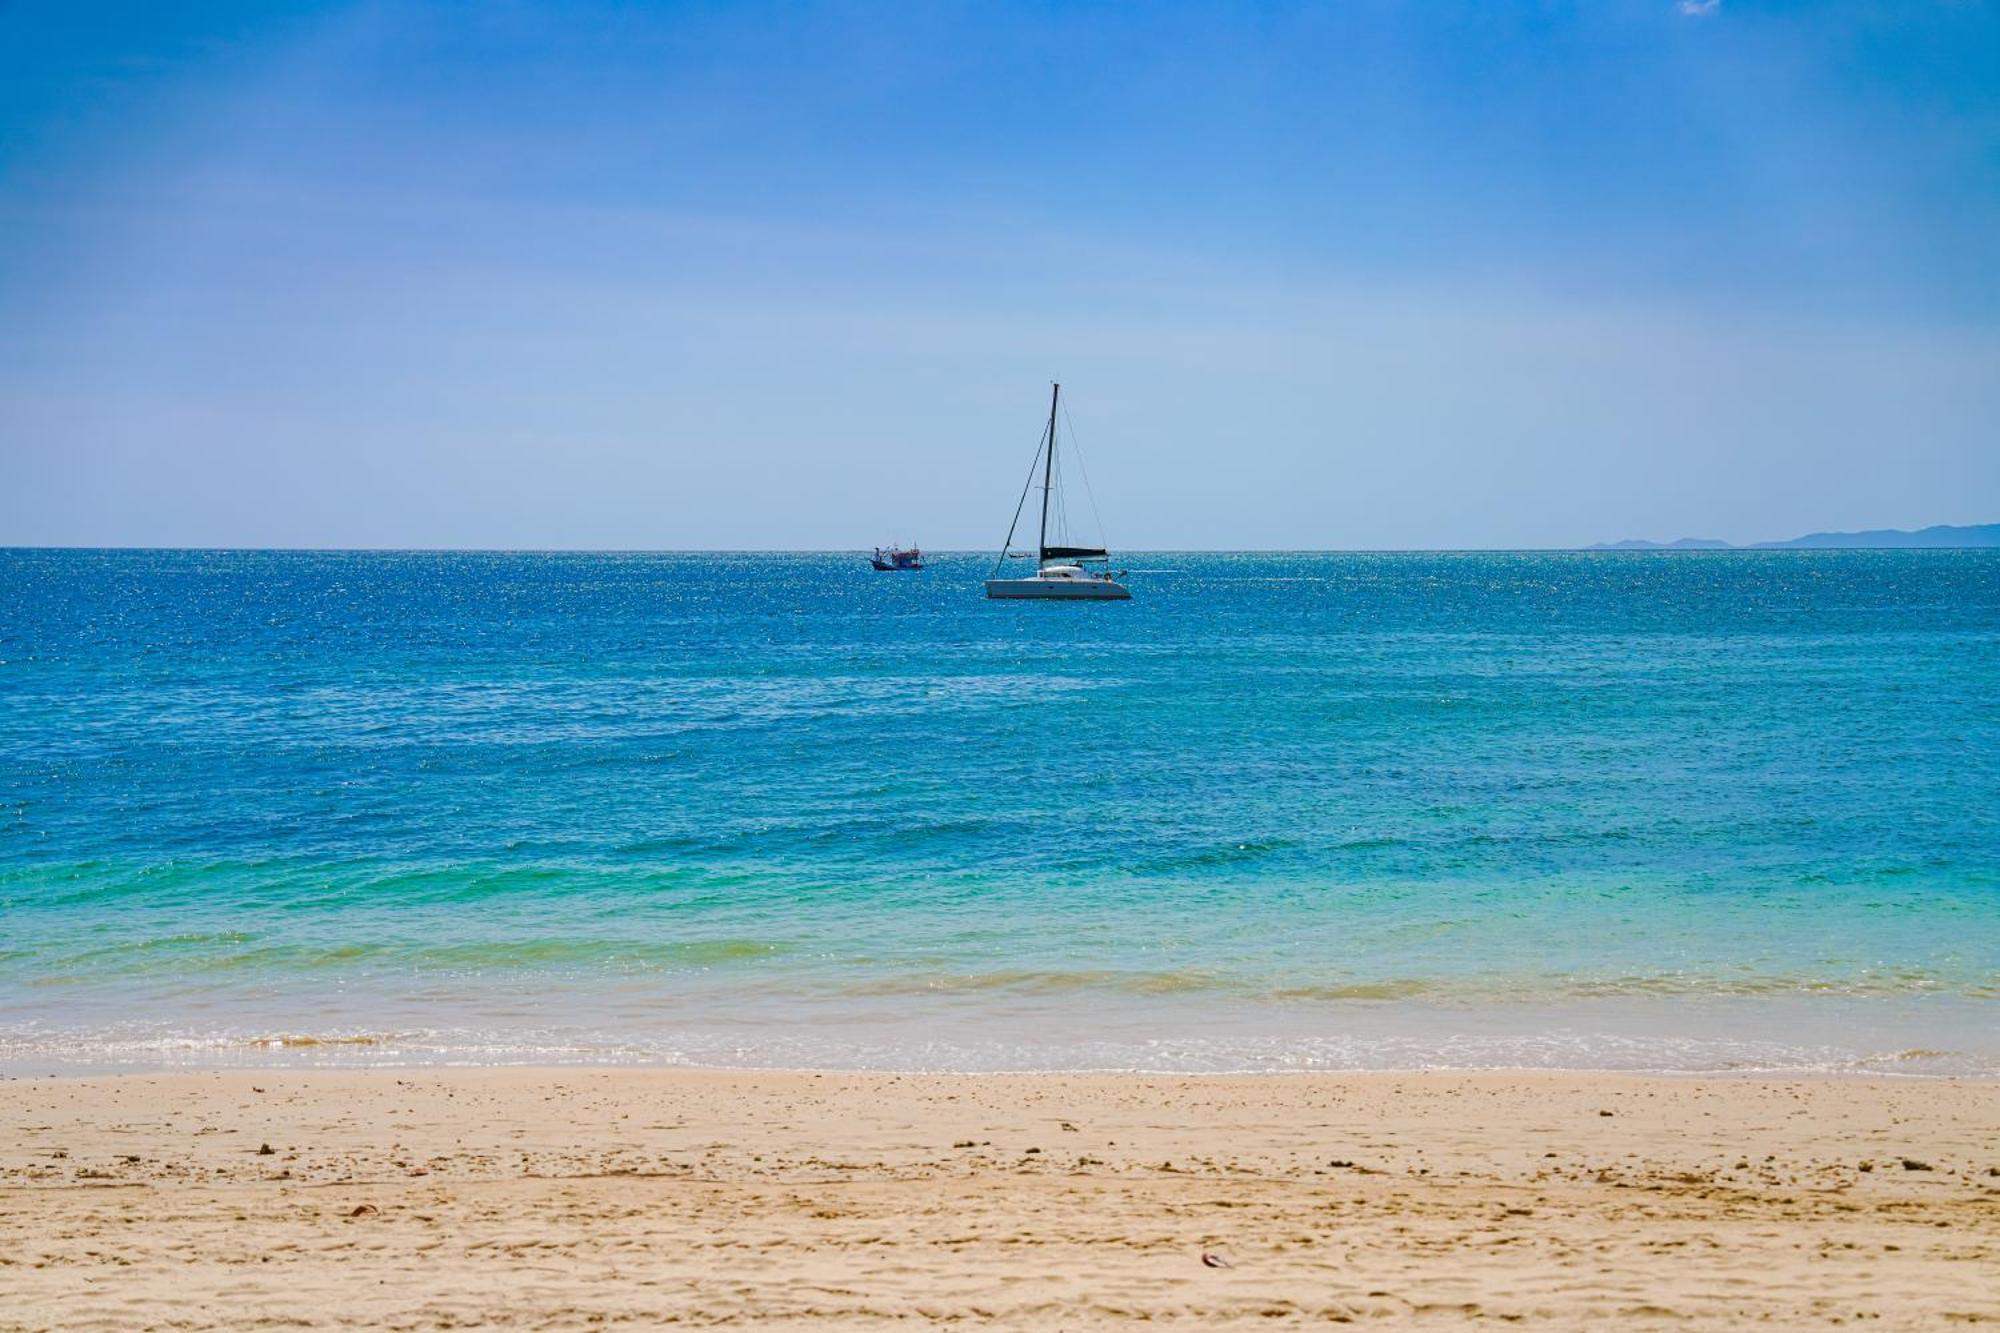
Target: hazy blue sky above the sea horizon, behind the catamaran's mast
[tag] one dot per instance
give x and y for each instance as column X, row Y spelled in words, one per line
column 1337, row 275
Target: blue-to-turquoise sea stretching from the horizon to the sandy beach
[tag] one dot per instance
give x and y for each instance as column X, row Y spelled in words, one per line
column 1281, row 812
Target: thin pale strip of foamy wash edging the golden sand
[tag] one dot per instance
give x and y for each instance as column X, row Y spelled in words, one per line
column 1585, row 1038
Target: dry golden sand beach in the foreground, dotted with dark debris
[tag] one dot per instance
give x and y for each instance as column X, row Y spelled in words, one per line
column 651, row 1198
